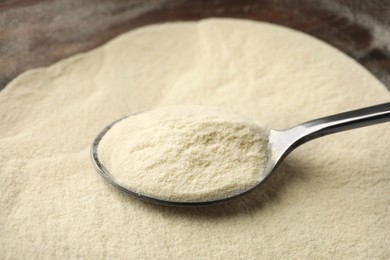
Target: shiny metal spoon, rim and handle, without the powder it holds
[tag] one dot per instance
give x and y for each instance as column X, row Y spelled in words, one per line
column 280, row 144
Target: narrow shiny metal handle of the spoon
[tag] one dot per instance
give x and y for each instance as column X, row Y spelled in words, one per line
column 342, row 122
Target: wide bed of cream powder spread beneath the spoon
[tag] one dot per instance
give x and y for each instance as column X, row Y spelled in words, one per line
column 329, row 199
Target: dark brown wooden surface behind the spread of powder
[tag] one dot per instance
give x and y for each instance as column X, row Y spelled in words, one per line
column 37, row 33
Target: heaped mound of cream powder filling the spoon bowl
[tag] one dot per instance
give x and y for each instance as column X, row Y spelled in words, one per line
column 185, row 153
